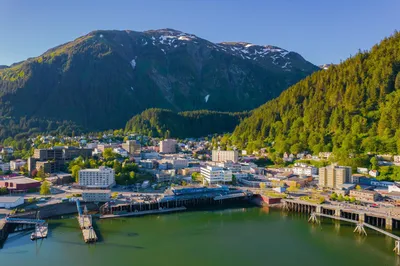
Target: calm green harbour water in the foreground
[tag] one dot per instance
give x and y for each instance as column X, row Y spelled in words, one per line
column 241, row 236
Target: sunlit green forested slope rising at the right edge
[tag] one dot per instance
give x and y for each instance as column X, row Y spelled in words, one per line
column 351, row 108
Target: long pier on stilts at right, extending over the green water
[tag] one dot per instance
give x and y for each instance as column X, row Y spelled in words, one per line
column 362, row 219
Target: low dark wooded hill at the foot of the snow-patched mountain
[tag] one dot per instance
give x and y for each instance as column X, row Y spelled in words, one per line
column 166, row 123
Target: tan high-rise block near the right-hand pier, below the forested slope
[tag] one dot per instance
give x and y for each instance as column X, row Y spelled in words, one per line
column 334, row 176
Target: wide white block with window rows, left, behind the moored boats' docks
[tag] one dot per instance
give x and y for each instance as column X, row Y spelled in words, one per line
column 103, row 177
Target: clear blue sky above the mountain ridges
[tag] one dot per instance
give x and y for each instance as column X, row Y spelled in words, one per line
column 321, row 31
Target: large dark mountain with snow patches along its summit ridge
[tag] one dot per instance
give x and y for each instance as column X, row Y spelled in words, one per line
column 102, row 79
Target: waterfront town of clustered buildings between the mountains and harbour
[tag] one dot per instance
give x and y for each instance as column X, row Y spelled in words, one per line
column 108, row 170
